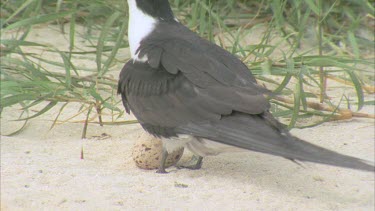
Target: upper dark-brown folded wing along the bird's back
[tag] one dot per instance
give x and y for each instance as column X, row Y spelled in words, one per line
column 177, row 49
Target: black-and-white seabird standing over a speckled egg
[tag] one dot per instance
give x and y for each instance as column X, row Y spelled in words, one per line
column 192, row 93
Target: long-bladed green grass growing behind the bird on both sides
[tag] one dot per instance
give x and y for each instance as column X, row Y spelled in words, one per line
column 303, row 43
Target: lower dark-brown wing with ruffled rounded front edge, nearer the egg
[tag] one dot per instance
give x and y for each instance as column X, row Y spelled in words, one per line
column 159, row 98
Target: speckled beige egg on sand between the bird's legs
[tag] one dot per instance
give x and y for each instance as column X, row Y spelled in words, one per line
column 148, row 150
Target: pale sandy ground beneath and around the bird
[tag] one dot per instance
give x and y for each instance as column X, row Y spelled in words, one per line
column 41, row 169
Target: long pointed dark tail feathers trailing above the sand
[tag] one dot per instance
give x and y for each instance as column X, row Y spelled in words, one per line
column 253, row 133
